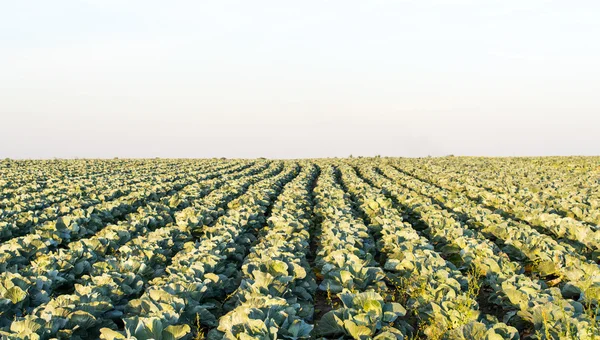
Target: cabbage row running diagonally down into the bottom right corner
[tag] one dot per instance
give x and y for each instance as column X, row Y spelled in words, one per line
column 526, row 303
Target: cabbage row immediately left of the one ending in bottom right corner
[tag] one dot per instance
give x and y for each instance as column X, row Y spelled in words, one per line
column 443, row 300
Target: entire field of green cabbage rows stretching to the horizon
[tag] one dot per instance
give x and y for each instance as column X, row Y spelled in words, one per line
column 355, row 248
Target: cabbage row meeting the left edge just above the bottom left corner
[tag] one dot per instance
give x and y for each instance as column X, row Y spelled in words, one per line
column 57, row 270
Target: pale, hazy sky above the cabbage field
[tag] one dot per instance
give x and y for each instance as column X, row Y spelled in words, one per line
column 292, row 79
